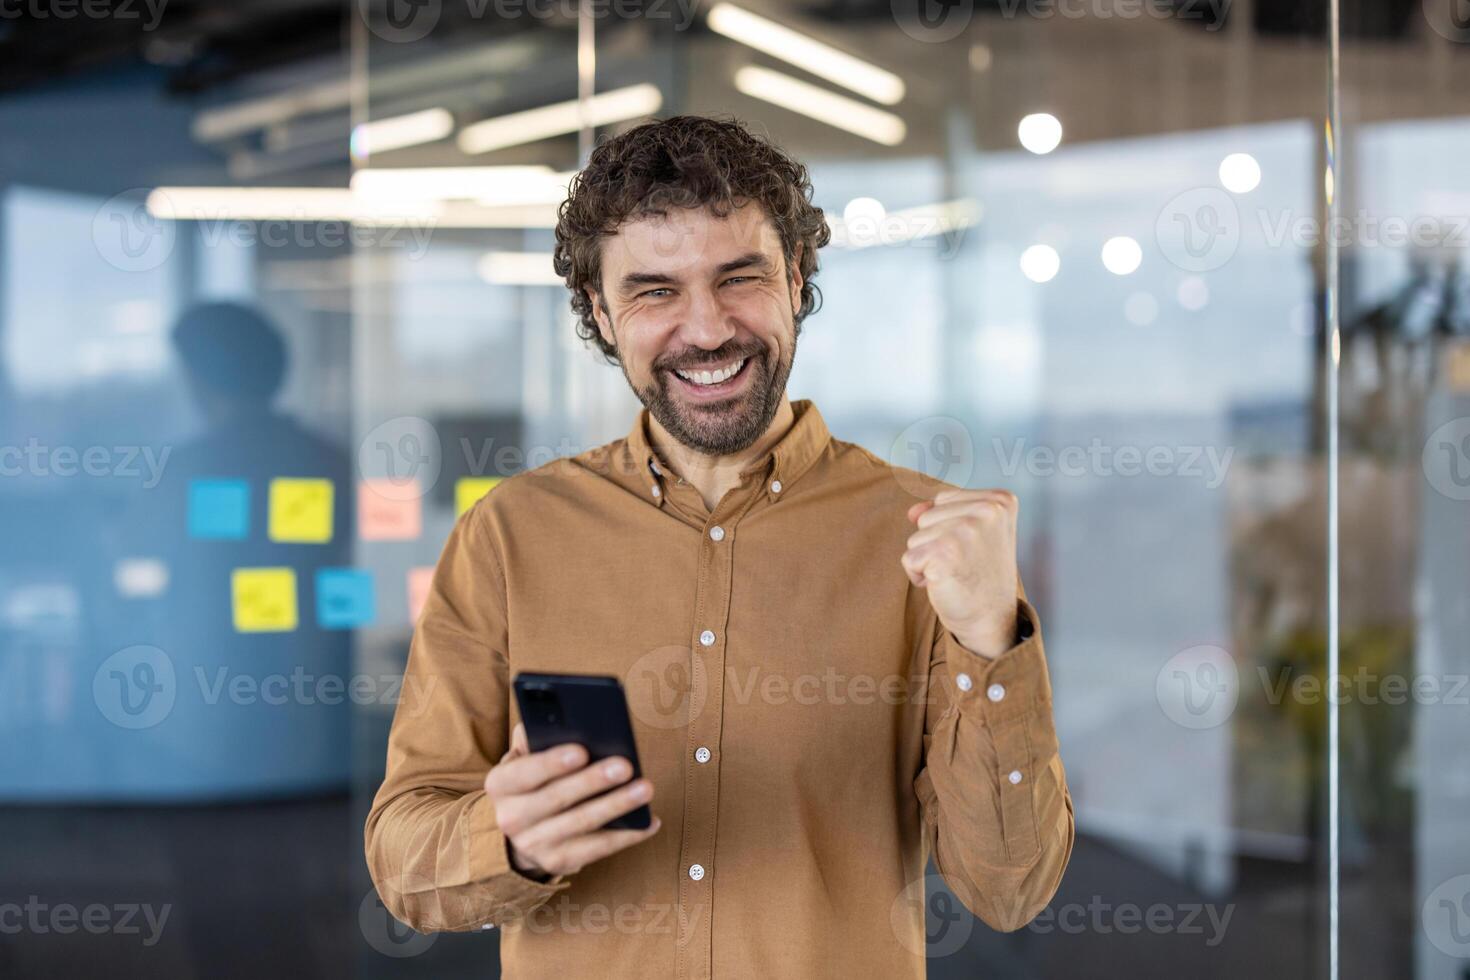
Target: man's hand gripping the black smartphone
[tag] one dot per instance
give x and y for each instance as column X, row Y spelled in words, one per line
column 552, row 806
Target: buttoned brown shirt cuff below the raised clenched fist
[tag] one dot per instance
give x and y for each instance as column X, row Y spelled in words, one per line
column 1005, row 687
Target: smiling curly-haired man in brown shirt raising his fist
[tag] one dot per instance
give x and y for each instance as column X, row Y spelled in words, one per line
column 831, row 665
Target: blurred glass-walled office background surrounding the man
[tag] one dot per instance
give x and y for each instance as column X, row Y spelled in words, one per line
column 276, row 296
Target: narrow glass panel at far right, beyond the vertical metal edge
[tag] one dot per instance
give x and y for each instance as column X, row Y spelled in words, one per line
column 1405, row 491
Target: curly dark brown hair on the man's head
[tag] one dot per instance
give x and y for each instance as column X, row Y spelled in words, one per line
column 683, row 162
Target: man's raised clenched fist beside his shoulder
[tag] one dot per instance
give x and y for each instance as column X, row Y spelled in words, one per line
column 965, row 558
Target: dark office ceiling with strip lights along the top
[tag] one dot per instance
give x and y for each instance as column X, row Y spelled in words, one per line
column 268, row 79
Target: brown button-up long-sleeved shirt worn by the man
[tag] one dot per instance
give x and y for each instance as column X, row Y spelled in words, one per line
column 812, row 731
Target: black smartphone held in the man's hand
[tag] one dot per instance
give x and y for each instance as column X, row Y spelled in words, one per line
column 589, row 710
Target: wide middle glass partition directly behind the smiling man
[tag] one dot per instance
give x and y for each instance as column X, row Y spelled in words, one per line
column 1064, row 262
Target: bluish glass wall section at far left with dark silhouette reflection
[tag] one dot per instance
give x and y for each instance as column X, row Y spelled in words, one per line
column 176, row 503
